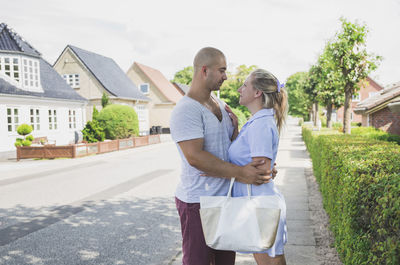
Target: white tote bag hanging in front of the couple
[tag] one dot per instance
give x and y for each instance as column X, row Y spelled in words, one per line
column 247, row 224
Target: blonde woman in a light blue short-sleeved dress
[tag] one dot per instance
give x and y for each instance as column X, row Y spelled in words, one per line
column 258, row 139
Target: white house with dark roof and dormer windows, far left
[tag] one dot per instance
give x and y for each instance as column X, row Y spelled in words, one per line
column 32, row 92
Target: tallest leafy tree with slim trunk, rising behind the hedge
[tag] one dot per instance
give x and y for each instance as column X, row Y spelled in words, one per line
column 353, row 62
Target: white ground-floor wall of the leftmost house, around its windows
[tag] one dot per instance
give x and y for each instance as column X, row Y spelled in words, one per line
column 62, row 135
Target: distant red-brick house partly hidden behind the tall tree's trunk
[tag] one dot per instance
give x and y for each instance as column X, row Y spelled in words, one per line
column 368, row 89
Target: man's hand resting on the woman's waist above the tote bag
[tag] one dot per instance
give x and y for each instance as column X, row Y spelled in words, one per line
column 253, row 173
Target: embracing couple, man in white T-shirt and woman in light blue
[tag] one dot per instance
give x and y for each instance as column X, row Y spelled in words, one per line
column 213, row 151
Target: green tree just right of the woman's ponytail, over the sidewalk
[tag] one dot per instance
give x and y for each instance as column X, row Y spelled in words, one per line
column 300, row 103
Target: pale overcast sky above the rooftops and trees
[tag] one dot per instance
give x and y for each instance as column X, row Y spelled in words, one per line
column 279, row 35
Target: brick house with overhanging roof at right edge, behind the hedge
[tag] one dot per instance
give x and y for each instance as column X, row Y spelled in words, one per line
column 382, row 111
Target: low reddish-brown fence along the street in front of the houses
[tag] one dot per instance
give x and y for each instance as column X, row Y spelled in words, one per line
column 83, row 149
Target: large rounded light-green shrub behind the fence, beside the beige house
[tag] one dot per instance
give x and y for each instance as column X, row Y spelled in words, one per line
column 118, row 121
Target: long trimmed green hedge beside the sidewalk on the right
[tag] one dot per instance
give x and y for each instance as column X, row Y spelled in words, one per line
column 359, row 179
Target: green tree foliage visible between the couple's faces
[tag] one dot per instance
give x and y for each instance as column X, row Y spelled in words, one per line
column 229, row 88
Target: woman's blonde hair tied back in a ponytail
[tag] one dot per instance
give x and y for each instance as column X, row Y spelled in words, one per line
column 274, row 94
